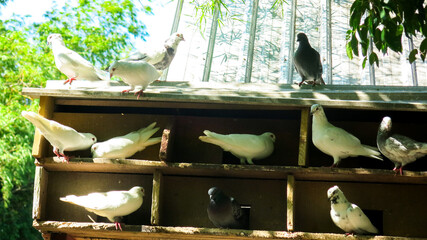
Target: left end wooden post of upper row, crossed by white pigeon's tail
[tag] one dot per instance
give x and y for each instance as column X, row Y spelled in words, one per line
column 45, row 110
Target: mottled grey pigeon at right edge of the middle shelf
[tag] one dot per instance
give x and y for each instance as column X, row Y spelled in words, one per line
column 399, row 149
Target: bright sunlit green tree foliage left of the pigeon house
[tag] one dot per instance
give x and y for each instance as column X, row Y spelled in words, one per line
column 100, row 31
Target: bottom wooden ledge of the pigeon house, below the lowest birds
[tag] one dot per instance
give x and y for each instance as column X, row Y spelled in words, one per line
column 108, row 231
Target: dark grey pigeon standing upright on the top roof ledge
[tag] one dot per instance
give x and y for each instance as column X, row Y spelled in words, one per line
column 307, row 62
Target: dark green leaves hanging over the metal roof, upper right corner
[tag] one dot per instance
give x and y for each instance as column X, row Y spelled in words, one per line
column 383, row 23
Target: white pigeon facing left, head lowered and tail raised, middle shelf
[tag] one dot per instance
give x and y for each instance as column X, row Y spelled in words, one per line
column 125, row 146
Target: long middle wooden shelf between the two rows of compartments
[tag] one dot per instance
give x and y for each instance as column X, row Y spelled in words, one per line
column 232, row 170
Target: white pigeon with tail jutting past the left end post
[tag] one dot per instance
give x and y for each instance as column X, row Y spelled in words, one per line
column 61, row 137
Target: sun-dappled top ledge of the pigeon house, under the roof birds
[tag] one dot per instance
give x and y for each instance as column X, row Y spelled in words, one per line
column 357, row 97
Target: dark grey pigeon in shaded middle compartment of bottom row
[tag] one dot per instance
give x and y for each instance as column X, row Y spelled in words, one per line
column 225, row 211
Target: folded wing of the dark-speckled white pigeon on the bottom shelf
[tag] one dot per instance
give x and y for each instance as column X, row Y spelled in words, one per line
column 359, row 220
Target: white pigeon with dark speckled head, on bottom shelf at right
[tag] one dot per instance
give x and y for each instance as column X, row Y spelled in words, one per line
column 348, row 216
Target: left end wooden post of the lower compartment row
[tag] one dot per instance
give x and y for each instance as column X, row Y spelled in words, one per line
column 40, row 191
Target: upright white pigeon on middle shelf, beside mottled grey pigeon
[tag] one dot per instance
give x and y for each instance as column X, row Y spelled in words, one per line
column 335, row 141
